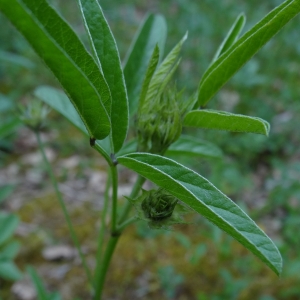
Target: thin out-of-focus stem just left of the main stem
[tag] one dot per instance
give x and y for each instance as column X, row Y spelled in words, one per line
column 101, row 231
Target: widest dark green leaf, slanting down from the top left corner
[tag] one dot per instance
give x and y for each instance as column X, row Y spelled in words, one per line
column 59, row 47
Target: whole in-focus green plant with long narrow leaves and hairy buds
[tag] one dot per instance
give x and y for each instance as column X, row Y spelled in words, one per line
column 106, row 97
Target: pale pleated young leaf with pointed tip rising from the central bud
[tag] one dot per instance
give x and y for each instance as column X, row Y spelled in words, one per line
column 163, row 74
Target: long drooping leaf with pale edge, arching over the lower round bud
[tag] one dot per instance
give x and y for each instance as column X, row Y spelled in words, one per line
column 203, row 197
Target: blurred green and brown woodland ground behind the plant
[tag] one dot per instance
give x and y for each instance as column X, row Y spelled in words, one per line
column 197, row 261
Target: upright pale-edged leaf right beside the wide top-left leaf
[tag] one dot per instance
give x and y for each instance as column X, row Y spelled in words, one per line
column 106, row 51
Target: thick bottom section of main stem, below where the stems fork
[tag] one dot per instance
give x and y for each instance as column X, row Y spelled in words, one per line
column 112, row 243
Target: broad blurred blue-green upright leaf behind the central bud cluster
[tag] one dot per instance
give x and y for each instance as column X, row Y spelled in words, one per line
column 153, row 31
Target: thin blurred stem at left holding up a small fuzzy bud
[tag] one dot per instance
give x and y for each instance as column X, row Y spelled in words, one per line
column 63, row 207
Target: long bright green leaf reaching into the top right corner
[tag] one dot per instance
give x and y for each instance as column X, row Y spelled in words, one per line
column 233, row 59
